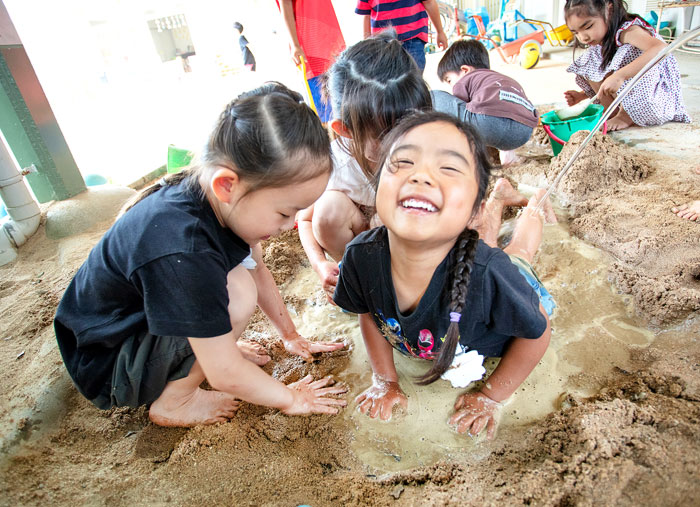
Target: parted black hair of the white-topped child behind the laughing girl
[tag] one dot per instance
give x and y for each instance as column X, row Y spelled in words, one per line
column 371, row 86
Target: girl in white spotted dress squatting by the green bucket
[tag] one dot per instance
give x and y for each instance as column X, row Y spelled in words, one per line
column 620, row 44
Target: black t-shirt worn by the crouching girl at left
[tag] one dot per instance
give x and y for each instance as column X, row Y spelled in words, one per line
column 161, row 267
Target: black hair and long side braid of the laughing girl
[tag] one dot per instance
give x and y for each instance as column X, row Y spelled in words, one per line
column 462, row 257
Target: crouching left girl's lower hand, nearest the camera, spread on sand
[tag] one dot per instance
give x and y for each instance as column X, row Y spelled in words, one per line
column 313, row 397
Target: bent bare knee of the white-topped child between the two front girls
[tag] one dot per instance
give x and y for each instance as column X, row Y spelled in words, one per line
column 336, row 221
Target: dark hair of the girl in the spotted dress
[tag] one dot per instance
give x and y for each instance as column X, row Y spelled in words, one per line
column 614, row 12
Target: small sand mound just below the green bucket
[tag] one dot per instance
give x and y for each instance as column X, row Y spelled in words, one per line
column 600, row 167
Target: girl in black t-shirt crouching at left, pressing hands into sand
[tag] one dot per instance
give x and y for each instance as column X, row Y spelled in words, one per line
column 160, row 302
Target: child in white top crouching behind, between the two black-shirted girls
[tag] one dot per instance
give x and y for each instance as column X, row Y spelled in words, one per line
column 371, row 85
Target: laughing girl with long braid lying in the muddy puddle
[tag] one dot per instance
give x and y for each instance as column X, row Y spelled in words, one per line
column 426, row 285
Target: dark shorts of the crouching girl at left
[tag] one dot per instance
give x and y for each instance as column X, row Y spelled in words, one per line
column 144, row 365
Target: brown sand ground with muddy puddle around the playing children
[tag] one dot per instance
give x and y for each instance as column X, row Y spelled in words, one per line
column 610, row 416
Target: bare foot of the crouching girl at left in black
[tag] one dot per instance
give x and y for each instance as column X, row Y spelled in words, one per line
column 175, row 408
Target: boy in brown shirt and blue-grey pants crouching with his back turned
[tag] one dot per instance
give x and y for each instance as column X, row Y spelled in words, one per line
column 494, row 104
